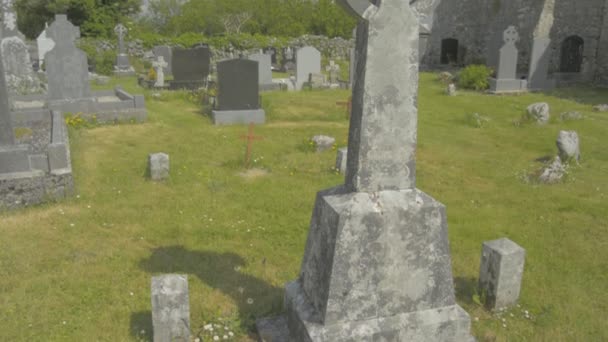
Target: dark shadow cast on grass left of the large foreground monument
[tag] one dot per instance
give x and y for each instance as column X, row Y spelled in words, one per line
column 254, row 297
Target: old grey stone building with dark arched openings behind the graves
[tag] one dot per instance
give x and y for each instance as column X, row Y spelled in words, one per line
column 470, row 31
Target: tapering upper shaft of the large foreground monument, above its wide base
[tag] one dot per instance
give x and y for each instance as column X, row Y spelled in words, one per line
column 384, row 119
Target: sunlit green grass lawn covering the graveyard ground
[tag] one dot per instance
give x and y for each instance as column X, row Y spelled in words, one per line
column 80, row 269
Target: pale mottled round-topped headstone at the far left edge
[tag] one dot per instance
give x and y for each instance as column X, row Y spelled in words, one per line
column 20, row 76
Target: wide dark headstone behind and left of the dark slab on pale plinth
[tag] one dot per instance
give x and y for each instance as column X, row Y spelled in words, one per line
column 191, row 65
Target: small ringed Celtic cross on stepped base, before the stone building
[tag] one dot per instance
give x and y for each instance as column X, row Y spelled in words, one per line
column 506, row 74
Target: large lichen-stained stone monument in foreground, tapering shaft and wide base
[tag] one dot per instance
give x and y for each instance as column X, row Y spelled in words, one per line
column 377, row 262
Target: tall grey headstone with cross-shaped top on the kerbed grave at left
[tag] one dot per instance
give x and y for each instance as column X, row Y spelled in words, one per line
column 67, row 68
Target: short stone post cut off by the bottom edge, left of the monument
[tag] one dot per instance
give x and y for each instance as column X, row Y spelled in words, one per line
column 170, row 308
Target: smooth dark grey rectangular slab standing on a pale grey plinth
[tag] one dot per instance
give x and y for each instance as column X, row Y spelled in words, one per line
column 238, row 84
